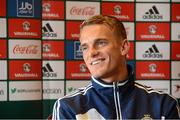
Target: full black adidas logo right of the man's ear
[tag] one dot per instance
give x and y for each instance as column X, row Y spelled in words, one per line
column 152, row 52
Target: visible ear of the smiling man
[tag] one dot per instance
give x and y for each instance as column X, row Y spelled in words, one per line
column 125, row 46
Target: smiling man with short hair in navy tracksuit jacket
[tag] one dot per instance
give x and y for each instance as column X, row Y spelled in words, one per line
column 112, row 94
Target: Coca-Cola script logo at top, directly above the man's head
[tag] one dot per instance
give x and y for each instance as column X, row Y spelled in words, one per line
column 82, row 11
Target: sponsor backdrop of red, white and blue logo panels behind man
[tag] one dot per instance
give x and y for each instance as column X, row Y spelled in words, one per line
column 40, row 57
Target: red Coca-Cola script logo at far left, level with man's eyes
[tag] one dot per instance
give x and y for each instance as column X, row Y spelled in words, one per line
column 30, row 49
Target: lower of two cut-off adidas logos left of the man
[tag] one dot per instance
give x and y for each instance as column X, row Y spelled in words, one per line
column 48, row 71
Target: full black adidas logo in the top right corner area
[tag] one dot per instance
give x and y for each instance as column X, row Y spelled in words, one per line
column 153, row 13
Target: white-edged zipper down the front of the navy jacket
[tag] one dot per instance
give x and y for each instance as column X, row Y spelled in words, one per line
column 117, row 101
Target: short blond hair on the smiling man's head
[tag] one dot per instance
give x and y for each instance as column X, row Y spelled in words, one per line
column 112, row 22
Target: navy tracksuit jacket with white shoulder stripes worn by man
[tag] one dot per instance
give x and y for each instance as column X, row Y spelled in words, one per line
column 126, row 100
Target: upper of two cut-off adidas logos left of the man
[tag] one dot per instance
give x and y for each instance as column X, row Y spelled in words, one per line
column 47, row 31
